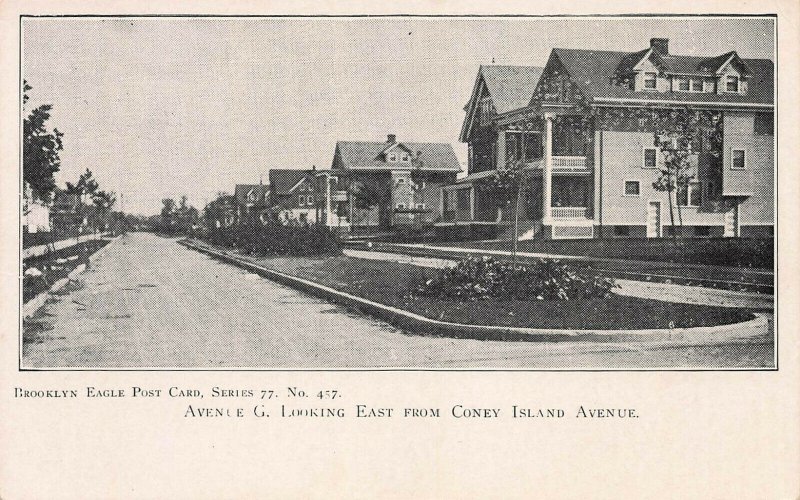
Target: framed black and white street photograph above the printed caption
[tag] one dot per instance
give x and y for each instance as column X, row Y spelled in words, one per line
column 398, row 192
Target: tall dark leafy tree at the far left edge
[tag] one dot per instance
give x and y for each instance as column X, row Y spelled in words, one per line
column 40, row 150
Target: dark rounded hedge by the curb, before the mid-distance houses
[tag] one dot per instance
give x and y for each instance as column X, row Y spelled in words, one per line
column 277, row 239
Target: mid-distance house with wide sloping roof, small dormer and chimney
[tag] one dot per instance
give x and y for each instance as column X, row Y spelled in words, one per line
column 386, row 184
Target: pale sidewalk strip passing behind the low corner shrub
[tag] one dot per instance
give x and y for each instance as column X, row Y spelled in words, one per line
column 642, row 289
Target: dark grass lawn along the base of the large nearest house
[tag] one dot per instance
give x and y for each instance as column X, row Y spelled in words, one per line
column 735, row 252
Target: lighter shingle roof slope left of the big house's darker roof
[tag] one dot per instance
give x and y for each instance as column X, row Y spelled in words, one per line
column 511, row 87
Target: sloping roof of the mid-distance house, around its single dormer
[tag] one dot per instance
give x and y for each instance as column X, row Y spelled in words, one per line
column 363, row 155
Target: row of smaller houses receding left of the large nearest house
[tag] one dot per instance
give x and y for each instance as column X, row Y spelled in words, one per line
column 373, row 185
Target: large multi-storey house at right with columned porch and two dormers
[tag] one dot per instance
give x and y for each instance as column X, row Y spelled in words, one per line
column 584, row 129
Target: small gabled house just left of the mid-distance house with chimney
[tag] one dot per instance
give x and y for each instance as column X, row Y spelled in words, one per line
column 293, row 195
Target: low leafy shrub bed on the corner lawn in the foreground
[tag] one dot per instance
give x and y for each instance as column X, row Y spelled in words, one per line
column 476, row 279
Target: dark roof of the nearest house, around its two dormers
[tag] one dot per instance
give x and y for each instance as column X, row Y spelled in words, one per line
column 592, row 71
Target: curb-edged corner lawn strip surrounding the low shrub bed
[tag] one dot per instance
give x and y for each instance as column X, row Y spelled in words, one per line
column 391, row 283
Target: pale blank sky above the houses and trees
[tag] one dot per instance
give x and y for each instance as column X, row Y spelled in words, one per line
column 163, row 107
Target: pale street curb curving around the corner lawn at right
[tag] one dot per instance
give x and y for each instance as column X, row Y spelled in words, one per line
column 419, row 324
